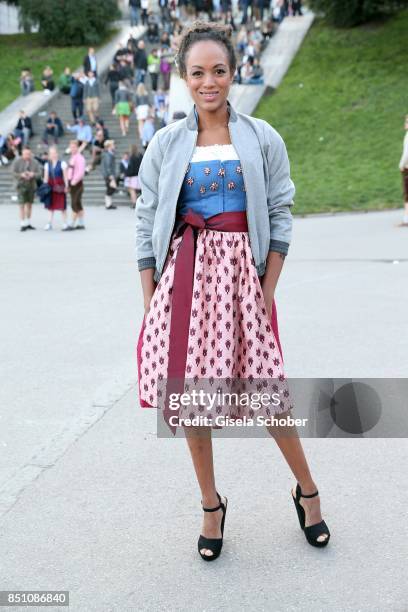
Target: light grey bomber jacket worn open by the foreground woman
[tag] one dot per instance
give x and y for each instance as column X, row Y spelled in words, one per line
column 266, row 173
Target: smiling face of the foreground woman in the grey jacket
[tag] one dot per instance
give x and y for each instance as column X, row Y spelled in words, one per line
column 208, row 74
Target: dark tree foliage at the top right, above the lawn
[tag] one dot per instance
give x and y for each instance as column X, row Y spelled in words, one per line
column 345, row 13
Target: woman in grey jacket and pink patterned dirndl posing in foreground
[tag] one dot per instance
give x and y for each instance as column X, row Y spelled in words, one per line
column 212, row 312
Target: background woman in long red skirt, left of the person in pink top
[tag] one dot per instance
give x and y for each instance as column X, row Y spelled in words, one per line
column 56, row 175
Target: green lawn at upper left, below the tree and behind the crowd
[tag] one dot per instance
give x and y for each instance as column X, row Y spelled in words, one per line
column 18, row 51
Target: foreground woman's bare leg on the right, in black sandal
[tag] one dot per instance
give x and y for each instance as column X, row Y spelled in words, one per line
column 289, row 443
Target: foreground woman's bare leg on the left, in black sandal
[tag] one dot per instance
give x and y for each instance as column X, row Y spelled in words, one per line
column 200, row 444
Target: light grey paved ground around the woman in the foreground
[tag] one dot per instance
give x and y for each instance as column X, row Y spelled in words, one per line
column 103, row 508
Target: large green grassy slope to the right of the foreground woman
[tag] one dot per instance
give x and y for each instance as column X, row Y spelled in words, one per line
column 340, row 110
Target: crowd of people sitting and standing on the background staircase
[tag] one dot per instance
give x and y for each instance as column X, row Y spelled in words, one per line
column 138, row 81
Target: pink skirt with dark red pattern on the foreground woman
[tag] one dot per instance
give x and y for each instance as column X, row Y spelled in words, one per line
column 230, row 333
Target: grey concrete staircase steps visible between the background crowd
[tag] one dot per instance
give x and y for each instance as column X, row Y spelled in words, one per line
column 94, row 183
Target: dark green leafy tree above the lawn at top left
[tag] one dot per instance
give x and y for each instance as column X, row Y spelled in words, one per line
column 69, row 22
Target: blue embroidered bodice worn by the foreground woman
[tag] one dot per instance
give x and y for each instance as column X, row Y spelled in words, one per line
column 213, row 186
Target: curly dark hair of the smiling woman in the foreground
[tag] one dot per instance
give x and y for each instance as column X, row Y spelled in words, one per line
column 204, row 30
